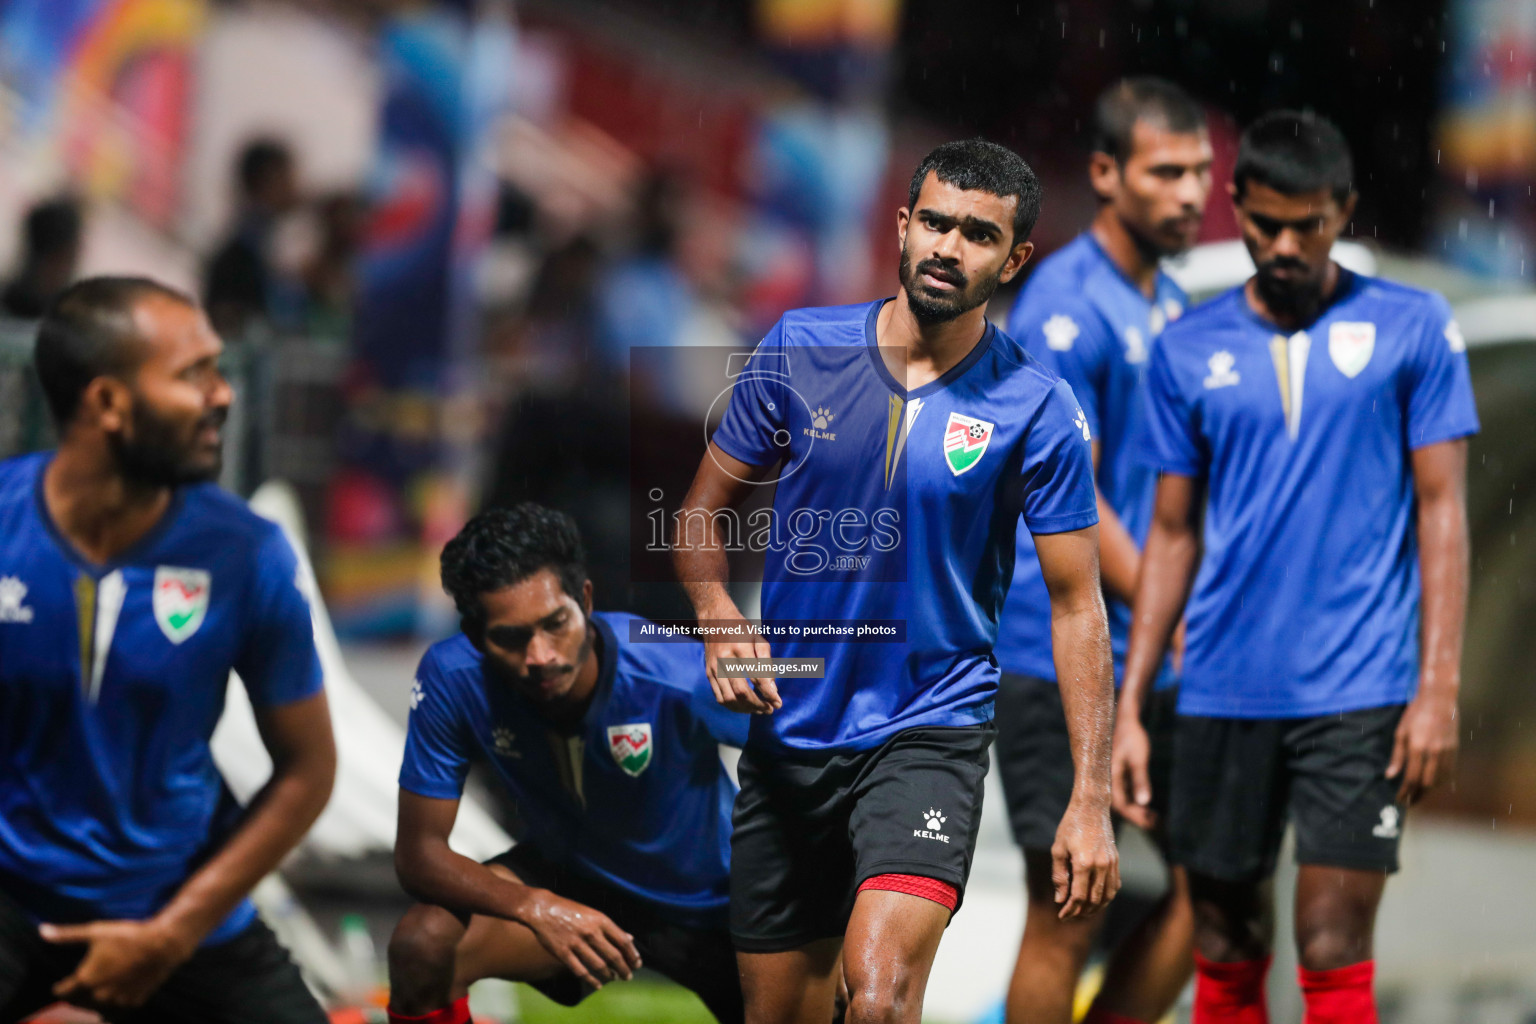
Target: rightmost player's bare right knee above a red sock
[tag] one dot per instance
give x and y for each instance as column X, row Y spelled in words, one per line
column 1337, row 916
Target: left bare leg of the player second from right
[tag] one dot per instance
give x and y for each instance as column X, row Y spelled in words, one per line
column 1053, row 953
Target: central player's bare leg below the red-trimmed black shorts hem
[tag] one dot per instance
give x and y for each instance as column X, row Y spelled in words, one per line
column 889, row 951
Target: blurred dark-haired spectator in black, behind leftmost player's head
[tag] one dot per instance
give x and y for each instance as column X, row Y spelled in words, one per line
column 243, row 285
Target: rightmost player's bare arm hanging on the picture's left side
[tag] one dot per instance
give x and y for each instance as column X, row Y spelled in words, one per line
column 1168, row 570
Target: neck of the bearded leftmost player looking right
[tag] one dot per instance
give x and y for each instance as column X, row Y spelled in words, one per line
column 94, row 507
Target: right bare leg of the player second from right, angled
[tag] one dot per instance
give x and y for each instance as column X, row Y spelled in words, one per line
column 1151, row 966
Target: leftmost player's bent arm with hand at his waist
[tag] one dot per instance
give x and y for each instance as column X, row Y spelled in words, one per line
column 128, row 960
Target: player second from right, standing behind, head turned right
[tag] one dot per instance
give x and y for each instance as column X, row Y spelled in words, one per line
column 1093, row 312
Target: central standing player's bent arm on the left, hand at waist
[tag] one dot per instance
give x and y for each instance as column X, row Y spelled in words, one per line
column 723, row 483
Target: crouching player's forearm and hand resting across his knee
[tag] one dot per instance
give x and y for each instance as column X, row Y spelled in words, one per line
column 584, row 940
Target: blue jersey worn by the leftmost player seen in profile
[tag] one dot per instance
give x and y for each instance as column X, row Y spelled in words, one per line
column 111, row 682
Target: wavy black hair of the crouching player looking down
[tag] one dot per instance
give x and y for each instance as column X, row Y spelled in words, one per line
column 503, row 547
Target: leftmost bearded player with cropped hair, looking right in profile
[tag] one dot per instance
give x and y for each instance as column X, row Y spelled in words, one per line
column 130, row 589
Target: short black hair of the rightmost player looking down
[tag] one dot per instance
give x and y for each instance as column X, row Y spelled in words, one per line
column 1294, row 153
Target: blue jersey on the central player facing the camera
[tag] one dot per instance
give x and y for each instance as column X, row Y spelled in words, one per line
column 898, row 506
